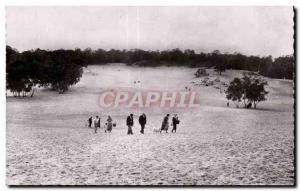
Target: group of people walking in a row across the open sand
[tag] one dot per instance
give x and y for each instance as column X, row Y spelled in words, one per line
column 130, row 123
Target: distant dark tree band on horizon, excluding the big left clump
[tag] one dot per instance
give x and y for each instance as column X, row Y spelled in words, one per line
column 175, row 57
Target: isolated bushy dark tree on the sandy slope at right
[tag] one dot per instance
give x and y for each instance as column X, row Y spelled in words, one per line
column 250, row 89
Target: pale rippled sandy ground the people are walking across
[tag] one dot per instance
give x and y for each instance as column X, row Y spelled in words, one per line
column 48, row 143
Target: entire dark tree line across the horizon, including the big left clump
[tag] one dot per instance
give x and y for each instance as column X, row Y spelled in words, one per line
column 59, row 69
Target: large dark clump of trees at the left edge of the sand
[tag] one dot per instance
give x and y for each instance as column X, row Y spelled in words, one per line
column 58, row 69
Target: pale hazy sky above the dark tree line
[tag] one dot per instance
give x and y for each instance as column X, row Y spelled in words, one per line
column 249, row 30
